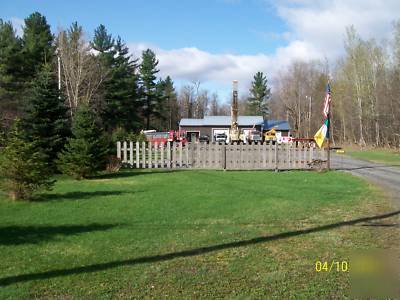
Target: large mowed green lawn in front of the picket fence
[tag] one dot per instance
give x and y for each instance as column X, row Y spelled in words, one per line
column 189, row 234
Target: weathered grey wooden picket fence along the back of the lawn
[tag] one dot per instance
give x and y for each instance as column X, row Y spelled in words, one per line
column 218, row 156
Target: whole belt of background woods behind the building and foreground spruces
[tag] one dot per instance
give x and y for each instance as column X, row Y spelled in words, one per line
column 127, row 94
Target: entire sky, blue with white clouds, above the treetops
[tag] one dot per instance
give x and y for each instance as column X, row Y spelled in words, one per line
column 217, row 41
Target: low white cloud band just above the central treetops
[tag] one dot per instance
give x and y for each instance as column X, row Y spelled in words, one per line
column 195, row 64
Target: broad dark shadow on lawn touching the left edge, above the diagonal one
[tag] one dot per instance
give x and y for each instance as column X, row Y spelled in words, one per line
column 17, row 235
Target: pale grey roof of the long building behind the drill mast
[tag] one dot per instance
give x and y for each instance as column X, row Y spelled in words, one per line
column 222, row 121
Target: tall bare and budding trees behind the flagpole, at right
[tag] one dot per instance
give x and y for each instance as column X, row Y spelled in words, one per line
column 365, row 92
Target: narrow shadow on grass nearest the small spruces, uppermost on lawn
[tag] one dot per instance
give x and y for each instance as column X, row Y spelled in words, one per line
column 76, row 195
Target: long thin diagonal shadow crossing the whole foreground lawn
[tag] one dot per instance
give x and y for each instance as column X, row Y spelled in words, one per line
column 185, row 253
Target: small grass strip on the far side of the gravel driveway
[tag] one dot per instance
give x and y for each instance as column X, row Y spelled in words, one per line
column 385, row 156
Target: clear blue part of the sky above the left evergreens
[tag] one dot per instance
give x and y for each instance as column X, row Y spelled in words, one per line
column 216, row 26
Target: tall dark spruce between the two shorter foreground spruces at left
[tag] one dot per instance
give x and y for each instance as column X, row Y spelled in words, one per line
column 45, row 120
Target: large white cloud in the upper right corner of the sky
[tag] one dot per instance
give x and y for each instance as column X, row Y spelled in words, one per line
column 323, row 23
